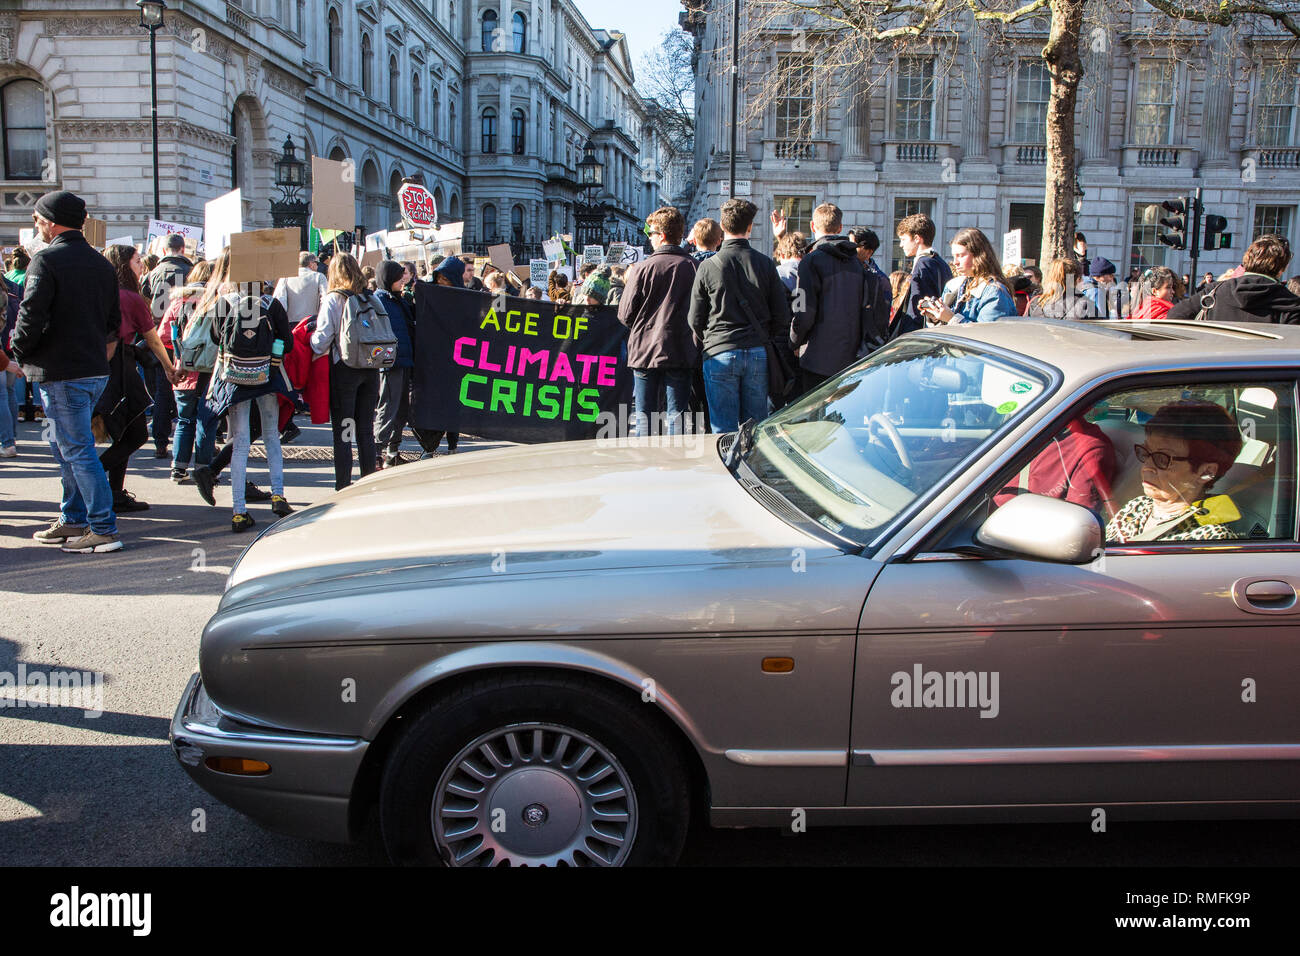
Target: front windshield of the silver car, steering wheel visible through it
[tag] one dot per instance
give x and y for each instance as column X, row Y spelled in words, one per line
column 859, row 451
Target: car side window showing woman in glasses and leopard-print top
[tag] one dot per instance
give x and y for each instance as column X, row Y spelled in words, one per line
column 1176, row 464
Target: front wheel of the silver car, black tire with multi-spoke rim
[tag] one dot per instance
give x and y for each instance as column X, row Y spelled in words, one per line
column 547, row 814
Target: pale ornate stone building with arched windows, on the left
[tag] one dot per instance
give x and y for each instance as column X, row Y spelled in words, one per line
column 401, row 88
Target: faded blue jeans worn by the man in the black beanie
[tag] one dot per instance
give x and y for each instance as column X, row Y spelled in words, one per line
column 88, row 499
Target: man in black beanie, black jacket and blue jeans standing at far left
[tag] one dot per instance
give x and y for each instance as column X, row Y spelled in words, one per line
column 70, row 313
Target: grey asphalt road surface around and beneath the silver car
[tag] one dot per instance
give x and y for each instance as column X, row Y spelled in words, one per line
column 88, row 791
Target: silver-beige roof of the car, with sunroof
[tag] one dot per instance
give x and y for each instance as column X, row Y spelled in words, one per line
column 1087, row 349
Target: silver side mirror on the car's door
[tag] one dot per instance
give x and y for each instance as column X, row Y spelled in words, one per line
column 1033, row 526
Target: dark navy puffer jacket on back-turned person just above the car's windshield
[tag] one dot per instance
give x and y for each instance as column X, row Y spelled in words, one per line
column 827, row 306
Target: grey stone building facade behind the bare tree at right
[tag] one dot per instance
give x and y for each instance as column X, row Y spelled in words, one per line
column 961, row 136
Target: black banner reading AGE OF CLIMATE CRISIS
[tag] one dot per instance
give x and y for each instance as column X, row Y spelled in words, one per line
column 518, row 370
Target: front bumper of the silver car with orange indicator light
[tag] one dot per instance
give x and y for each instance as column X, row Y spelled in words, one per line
column 307, row 793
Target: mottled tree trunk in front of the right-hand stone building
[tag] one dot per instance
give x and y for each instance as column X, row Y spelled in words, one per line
column 1063, row 58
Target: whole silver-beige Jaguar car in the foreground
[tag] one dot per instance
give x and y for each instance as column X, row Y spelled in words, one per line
column 1020, row 570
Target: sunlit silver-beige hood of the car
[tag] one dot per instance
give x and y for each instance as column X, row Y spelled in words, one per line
column 579, row 507
